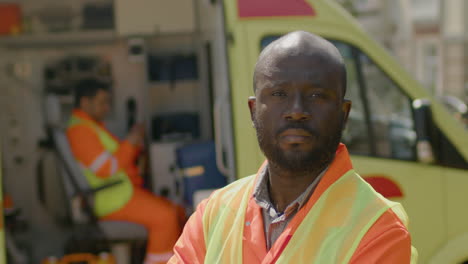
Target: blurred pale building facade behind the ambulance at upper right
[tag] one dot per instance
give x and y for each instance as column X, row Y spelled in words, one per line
column 429, row 37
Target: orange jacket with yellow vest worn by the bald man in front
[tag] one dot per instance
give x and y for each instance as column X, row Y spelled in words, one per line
column 328, row 229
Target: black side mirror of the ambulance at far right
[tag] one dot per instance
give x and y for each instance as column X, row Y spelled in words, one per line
column 423, row 126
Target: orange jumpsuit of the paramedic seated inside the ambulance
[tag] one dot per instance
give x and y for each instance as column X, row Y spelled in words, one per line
column 158, row 215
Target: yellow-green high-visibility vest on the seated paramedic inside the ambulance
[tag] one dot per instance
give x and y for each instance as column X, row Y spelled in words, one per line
column 113, row 198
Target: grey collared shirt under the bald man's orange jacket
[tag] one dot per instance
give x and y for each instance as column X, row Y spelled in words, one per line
column 275, row 222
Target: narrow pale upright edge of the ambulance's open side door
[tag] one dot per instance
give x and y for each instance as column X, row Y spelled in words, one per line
column 214, row 72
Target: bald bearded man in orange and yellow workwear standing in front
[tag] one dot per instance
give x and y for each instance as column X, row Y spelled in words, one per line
column 306, row 204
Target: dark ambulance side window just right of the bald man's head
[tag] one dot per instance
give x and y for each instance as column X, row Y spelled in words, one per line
column 381, row 114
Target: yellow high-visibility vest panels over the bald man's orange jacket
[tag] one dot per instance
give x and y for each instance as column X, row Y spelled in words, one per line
column 329, row 233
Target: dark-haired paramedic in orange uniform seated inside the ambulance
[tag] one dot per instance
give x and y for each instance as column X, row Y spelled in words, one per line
column 103, row 157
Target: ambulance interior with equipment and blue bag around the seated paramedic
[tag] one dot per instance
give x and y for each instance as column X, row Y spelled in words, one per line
column 166, row 64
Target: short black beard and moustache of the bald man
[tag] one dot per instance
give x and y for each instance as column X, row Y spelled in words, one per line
column 299, row 162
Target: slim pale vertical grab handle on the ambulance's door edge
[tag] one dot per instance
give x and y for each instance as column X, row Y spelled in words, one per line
column 218, row 131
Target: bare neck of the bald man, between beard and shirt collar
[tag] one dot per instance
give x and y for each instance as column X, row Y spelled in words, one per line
column 285, row 186
